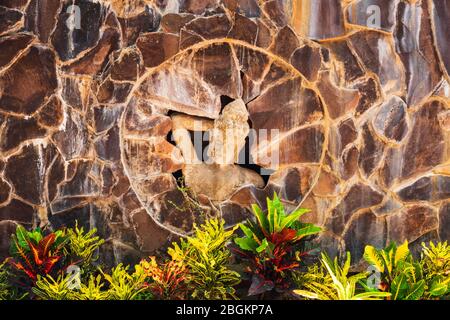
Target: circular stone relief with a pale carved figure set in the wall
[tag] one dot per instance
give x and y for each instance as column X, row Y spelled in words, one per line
column 235, row 122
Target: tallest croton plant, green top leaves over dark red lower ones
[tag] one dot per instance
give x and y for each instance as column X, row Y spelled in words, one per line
column 272, row 247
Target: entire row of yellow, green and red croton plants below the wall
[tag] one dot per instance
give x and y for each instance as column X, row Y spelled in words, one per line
column 269, row 256
